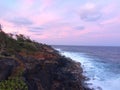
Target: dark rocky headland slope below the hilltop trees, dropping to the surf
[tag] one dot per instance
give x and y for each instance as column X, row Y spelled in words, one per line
column 40, row 69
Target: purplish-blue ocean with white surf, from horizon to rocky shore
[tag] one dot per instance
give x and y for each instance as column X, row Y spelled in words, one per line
column 100, row 64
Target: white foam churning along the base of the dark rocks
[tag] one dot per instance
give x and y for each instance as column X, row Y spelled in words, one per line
column 95, row 73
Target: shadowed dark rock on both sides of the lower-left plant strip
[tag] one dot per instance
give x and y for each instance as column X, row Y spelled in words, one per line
column 49, row 74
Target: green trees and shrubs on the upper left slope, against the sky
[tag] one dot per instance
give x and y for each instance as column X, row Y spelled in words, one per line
column 12, row 45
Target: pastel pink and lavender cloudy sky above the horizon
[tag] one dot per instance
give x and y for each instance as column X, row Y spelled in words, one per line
column 63, row 22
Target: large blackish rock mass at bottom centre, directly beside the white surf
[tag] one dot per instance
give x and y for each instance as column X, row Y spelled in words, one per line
column 62, row 74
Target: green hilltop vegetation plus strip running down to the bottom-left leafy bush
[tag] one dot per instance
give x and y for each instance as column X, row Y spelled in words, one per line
column 10, row 46
